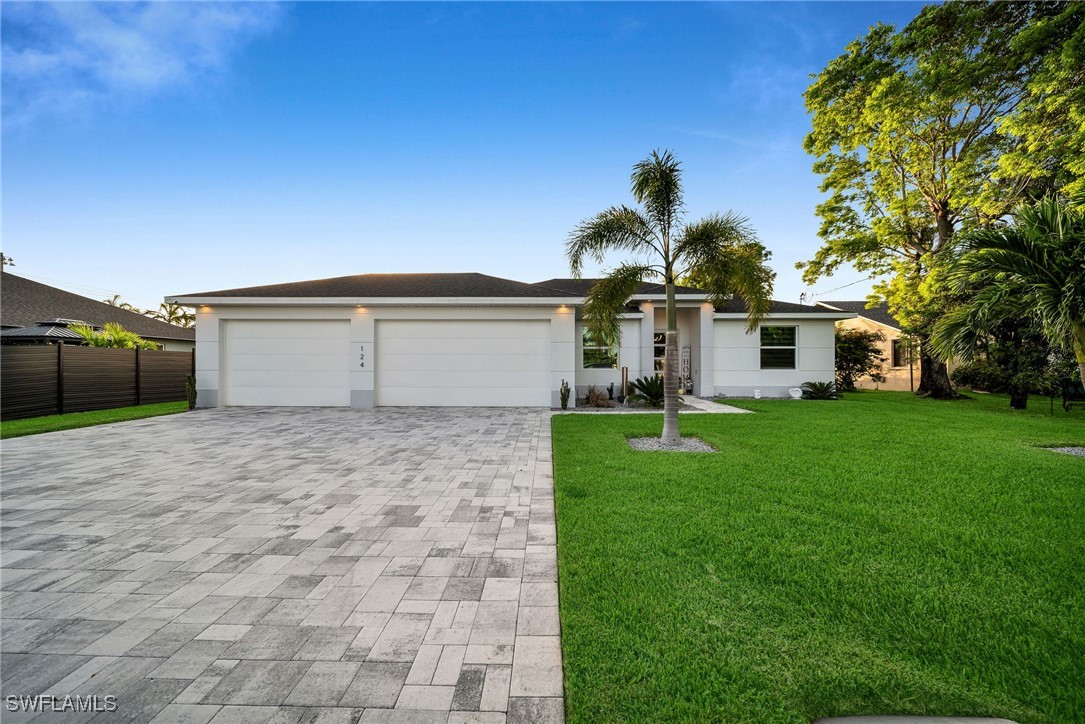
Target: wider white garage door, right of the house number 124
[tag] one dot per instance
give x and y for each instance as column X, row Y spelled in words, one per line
column 494, row 364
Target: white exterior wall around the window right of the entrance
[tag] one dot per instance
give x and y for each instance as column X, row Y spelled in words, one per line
column 737, row 358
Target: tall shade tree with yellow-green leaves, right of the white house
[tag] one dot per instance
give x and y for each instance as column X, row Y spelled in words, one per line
column 910, row 128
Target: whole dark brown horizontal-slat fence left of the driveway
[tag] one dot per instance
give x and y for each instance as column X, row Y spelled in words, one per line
column 58, row 379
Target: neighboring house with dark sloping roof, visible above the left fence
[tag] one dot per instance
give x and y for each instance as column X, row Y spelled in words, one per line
column 27, row 304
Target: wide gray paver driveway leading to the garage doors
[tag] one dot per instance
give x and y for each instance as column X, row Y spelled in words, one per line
column 287, row 566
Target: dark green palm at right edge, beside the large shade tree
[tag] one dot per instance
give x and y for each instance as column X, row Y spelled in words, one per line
column 1033, row 269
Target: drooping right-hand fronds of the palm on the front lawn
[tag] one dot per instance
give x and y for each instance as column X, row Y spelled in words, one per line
column 729, row 260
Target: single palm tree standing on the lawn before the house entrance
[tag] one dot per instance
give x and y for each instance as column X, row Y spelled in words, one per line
column 723, row 251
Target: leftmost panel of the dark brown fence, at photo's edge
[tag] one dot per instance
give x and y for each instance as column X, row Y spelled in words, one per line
column 28, row 382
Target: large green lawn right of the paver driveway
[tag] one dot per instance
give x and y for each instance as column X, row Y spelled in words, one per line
column 880, row 554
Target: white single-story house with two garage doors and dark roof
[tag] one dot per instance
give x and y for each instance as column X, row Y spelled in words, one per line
column 469, row 339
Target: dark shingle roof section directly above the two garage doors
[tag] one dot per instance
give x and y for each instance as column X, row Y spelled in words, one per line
column 397, row 285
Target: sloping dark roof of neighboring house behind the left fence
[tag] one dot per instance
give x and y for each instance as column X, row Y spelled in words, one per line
column 27, row 303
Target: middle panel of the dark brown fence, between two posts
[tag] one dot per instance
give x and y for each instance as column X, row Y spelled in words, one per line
column 97, row 378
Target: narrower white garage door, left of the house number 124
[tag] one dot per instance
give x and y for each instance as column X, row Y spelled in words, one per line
column 288, row 363
